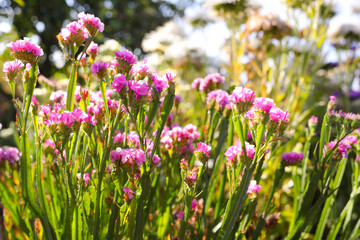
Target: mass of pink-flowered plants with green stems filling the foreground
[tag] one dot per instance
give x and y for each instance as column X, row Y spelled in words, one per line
column 112, row 159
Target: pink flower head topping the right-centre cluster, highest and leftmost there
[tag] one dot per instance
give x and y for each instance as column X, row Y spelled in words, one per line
column 242, row 99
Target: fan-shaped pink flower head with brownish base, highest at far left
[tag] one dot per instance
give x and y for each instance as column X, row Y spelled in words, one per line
column 24, row 50
